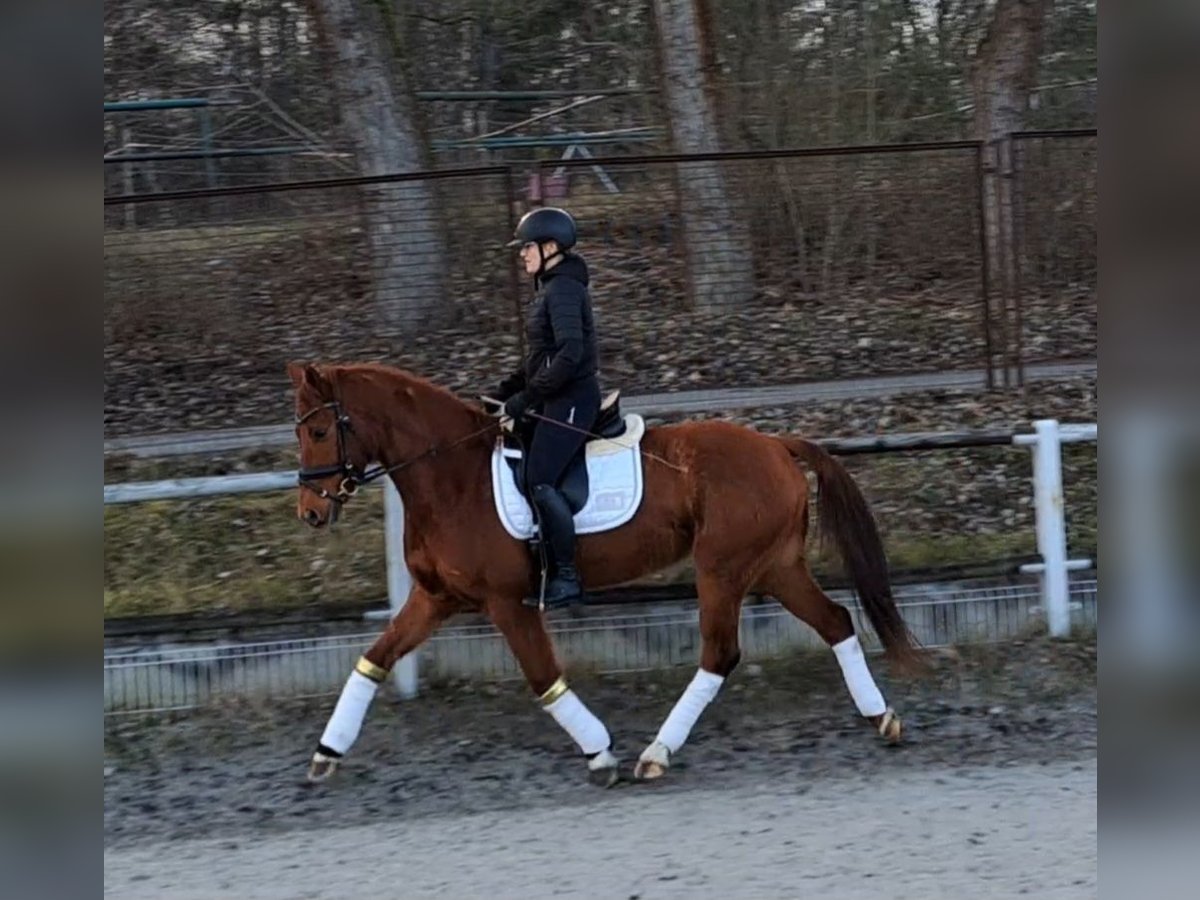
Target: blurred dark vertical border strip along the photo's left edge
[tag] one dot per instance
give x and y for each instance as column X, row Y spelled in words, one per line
column 51, row 184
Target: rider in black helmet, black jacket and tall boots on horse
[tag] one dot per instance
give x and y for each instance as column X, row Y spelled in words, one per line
column 557, row 381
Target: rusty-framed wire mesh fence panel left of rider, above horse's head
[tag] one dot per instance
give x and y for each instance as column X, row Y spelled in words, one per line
column 209, row 296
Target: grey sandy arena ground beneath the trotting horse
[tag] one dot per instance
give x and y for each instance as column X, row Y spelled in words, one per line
column 473, row 793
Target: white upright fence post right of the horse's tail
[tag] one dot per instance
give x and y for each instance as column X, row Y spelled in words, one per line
column 1052, row 526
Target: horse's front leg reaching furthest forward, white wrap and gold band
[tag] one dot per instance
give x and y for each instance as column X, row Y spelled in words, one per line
column 415, row 623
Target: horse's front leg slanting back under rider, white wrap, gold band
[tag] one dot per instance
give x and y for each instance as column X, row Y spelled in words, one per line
column 526, row 633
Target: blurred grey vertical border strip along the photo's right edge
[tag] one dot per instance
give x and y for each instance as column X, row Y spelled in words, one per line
column 1149, row 386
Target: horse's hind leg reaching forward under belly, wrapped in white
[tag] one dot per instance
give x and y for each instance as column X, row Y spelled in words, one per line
column 721, row 610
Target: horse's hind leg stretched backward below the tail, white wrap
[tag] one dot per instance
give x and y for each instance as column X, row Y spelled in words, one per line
column 801, row 596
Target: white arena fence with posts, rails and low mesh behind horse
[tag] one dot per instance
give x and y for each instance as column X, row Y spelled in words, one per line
column 644, row 640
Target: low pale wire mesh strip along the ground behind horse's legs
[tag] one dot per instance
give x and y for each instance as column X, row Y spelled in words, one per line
column 166, row 679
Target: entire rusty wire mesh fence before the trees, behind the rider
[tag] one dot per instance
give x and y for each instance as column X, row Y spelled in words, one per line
column 748, row 268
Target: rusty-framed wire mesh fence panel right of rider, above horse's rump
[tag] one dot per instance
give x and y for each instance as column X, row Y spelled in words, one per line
column 771, row 268
